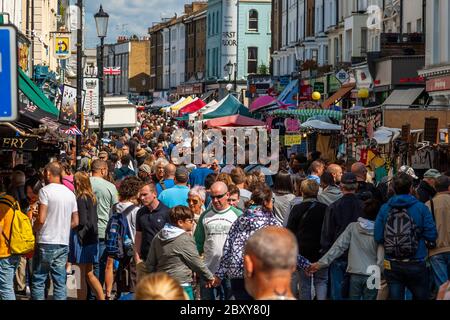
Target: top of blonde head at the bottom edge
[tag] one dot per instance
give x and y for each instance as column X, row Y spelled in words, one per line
column 159, row 286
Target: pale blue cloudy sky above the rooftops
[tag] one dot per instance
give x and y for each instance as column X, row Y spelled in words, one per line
column 128, row 17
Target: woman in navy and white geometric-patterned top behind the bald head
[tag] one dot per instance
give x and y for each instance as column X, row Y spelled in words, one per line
column 258, row 215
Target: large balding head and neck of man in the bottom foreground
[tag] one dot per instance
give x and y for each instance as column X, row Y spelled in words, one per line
column 270, row 257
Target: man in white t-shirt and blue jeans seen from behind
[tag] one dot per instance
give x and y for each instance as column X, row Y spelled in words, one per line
column 58, row 213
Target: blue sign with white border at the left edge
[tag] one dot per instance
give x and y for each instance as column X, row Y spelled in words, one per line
column 8, row 73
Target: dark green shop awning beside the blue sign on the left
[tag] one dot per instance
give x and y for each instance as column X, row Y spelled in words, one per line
column 45, row 108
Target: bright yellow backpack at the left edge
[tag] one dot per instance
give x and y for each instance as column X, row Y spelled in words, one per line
column 21, row 238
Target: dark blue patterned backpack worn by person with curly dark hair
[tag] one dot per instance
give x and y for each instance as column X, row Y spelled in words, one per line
column 117, row 237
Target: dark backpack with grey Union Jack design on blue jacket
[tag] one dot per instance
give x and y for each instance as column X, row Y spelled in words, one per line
column 401, row 234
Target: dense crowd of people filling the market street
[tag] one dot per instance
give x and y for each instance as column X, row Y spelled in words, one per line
column 135, row 224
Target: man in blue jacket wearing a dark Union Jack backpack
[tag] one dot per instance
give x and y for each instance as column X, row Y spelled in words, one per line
column 404, row 226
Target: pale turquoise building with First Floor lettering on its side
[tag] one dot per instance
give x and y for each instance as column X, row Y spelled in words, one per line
column 238, row 32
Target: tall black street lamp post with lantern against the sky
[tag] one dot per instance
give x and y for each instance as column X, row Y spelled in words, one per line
column 101, row 23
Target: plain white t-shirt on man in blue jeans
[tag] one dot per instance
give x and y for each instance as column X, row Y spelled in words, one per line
column 61, row 203
